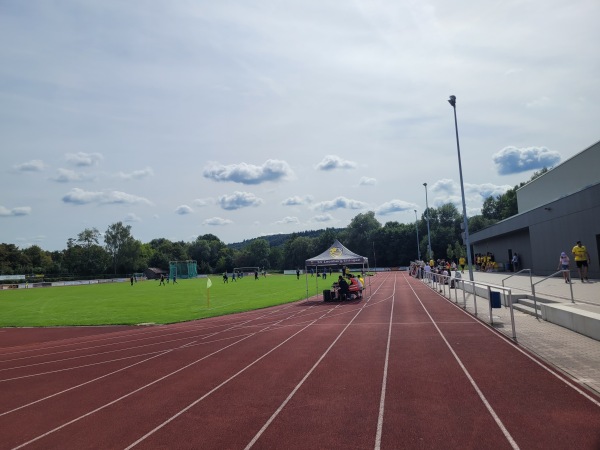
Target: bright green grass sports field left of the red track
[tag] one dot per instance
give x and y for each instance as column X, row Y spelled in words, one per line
column 146, row 301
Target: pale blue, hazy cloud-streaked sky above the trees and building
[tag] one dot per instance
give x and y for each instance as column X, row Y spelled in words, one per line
column 257, row 117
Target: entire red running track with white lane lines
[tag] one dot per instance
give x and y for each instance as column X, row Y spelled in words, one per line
column 404, row 368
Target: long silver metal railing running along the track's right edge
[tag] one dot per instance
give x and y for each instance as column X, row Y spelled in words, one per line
column 438, row 282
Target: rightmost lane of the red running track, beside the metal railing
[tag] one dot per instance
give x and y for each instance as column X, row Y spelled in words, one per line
column 526, row 393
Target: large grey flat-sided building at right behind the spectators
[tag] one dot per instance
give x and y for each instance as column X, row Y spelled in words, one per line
column 556, row 210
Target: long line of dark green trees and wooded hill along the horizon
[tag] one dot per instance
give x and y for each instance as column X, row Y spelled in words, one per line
column 392, row 244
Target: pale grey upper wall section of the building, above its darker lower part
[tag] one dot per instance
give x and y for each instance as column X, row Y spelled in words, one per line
column 571, row 176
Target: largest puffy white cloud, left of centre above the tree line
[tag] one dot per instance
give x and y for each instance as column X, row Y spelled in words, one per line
column 271, row 170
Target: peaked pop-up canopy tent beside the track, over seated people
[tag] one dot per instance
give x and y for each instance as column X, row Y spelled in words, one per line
column 337, row 256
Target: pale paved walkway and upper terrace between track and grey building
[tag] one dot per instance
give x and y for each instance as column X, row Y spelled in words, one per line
column 574, row 354
